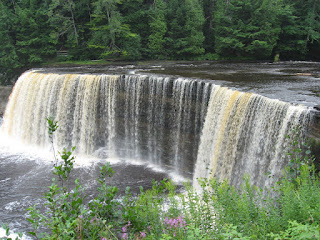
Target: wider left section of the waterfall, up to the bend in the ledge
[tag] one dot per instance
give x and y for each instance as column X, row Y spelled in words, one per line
column 146, row 118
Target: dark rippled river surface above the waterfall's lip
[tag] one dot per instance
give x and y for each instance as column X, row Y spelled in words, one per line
column 295, row 82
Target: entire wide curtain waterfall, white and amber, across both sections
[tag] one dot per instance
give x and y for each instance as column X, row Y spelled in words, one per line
column 189, row 126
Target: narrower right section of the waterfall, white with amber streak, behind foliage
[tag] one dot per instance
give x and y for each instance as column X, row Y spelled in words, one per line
column 246, row 133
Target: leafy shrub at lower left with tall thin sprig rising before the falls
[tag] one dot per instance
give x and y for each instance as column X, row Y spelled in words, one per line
column 67, row 216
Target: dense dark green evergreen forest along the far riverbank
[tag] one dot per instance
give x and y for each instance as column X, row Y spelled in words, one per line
column 34, row 31
